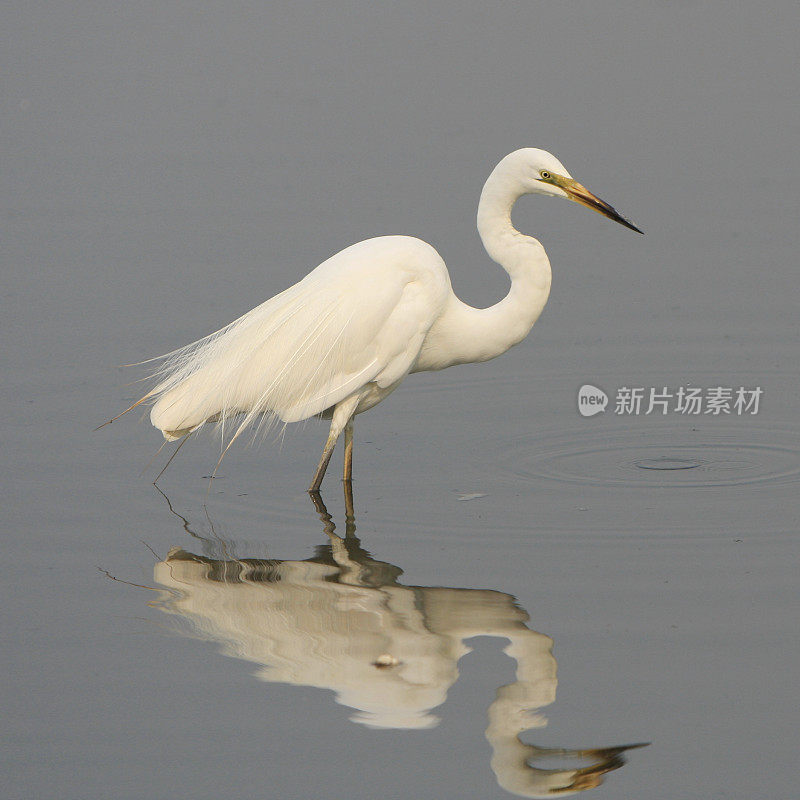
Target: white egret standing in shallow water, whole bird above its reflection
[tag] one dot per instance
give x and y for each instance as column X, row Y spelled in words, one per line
column 343, row 338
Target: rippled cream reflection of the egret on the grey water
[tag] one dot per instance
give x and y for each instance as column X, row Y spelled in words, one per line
column 341, row 621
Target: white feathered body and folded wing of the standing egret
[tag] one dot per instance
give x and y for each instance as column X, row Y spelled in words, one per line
column 360, row 316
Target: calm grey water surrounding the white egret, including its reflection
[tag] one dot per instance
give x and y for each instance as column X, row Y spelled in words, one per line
column 619, row 579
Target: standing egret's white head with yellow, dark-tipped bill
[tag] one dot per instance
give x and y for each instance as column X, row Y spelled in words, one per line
column 542, row 173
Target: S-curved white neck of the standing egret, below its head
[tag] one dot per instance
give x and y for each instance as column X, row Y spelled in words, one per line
column 466, row 334
